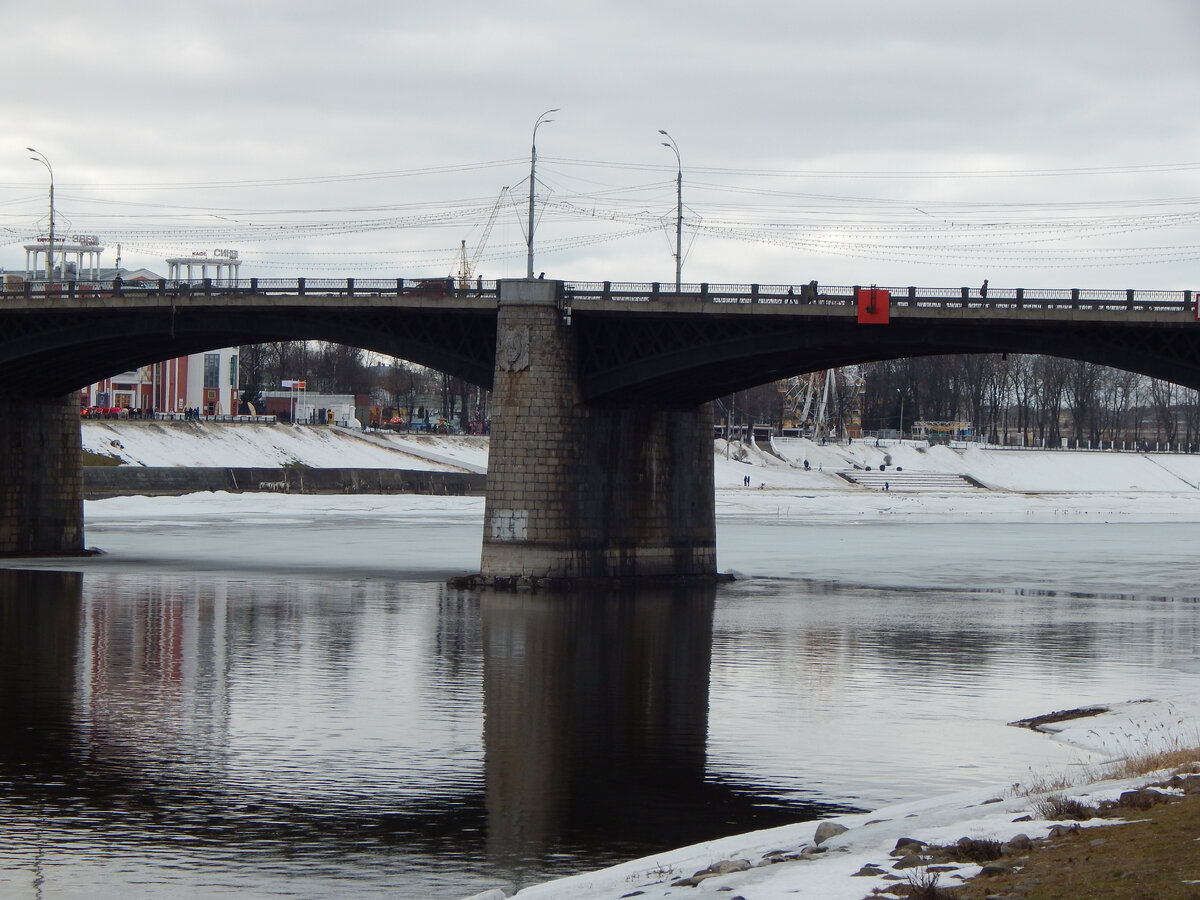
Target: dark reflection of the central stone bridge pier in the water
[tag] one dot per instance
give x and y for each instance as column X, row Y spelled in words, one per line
column 597, row 724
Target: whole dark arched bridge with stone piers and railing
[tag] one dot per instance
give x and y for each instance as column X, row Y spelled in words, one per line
column 602, row 464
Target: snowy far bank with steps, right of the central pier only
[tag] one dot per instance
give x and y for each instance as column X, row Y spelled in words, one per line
column 938, row 483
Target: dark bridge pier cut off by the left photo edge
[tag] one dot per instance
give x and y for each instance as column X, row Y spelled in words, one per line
column 41, row 481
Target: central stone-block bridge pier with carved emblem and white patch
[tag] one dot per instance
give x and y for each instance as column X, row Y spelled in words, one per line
column 584, row 493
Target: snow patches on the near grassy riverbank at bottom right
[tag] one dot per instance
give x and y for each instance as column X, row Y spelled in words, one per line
column 794, row 862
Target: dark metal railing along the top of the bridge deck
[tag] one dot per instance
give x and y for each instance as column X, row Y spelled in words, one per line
column 579, row 292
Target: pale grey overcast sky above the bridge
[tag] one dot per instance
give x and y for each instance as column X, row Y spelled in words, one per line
column 937, row 143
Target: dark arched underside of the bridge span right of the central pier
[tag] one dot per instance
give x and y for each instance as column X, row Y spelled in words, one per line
column 701, row 359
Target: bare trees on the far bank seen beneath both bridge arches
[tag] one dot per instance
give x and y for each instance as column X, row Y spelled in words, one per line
column 1007, row 399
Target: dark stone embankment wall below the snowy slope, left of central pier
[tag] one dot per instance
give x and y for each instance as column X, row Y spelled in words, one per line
column 104, row 482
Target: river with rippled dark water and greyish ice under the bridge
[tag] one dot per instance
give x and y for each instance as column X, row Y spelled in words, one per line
column 291, row 701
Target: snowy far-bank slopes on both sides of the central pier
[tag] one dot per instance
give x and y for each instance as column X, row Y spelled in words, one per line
column 907, row 467
